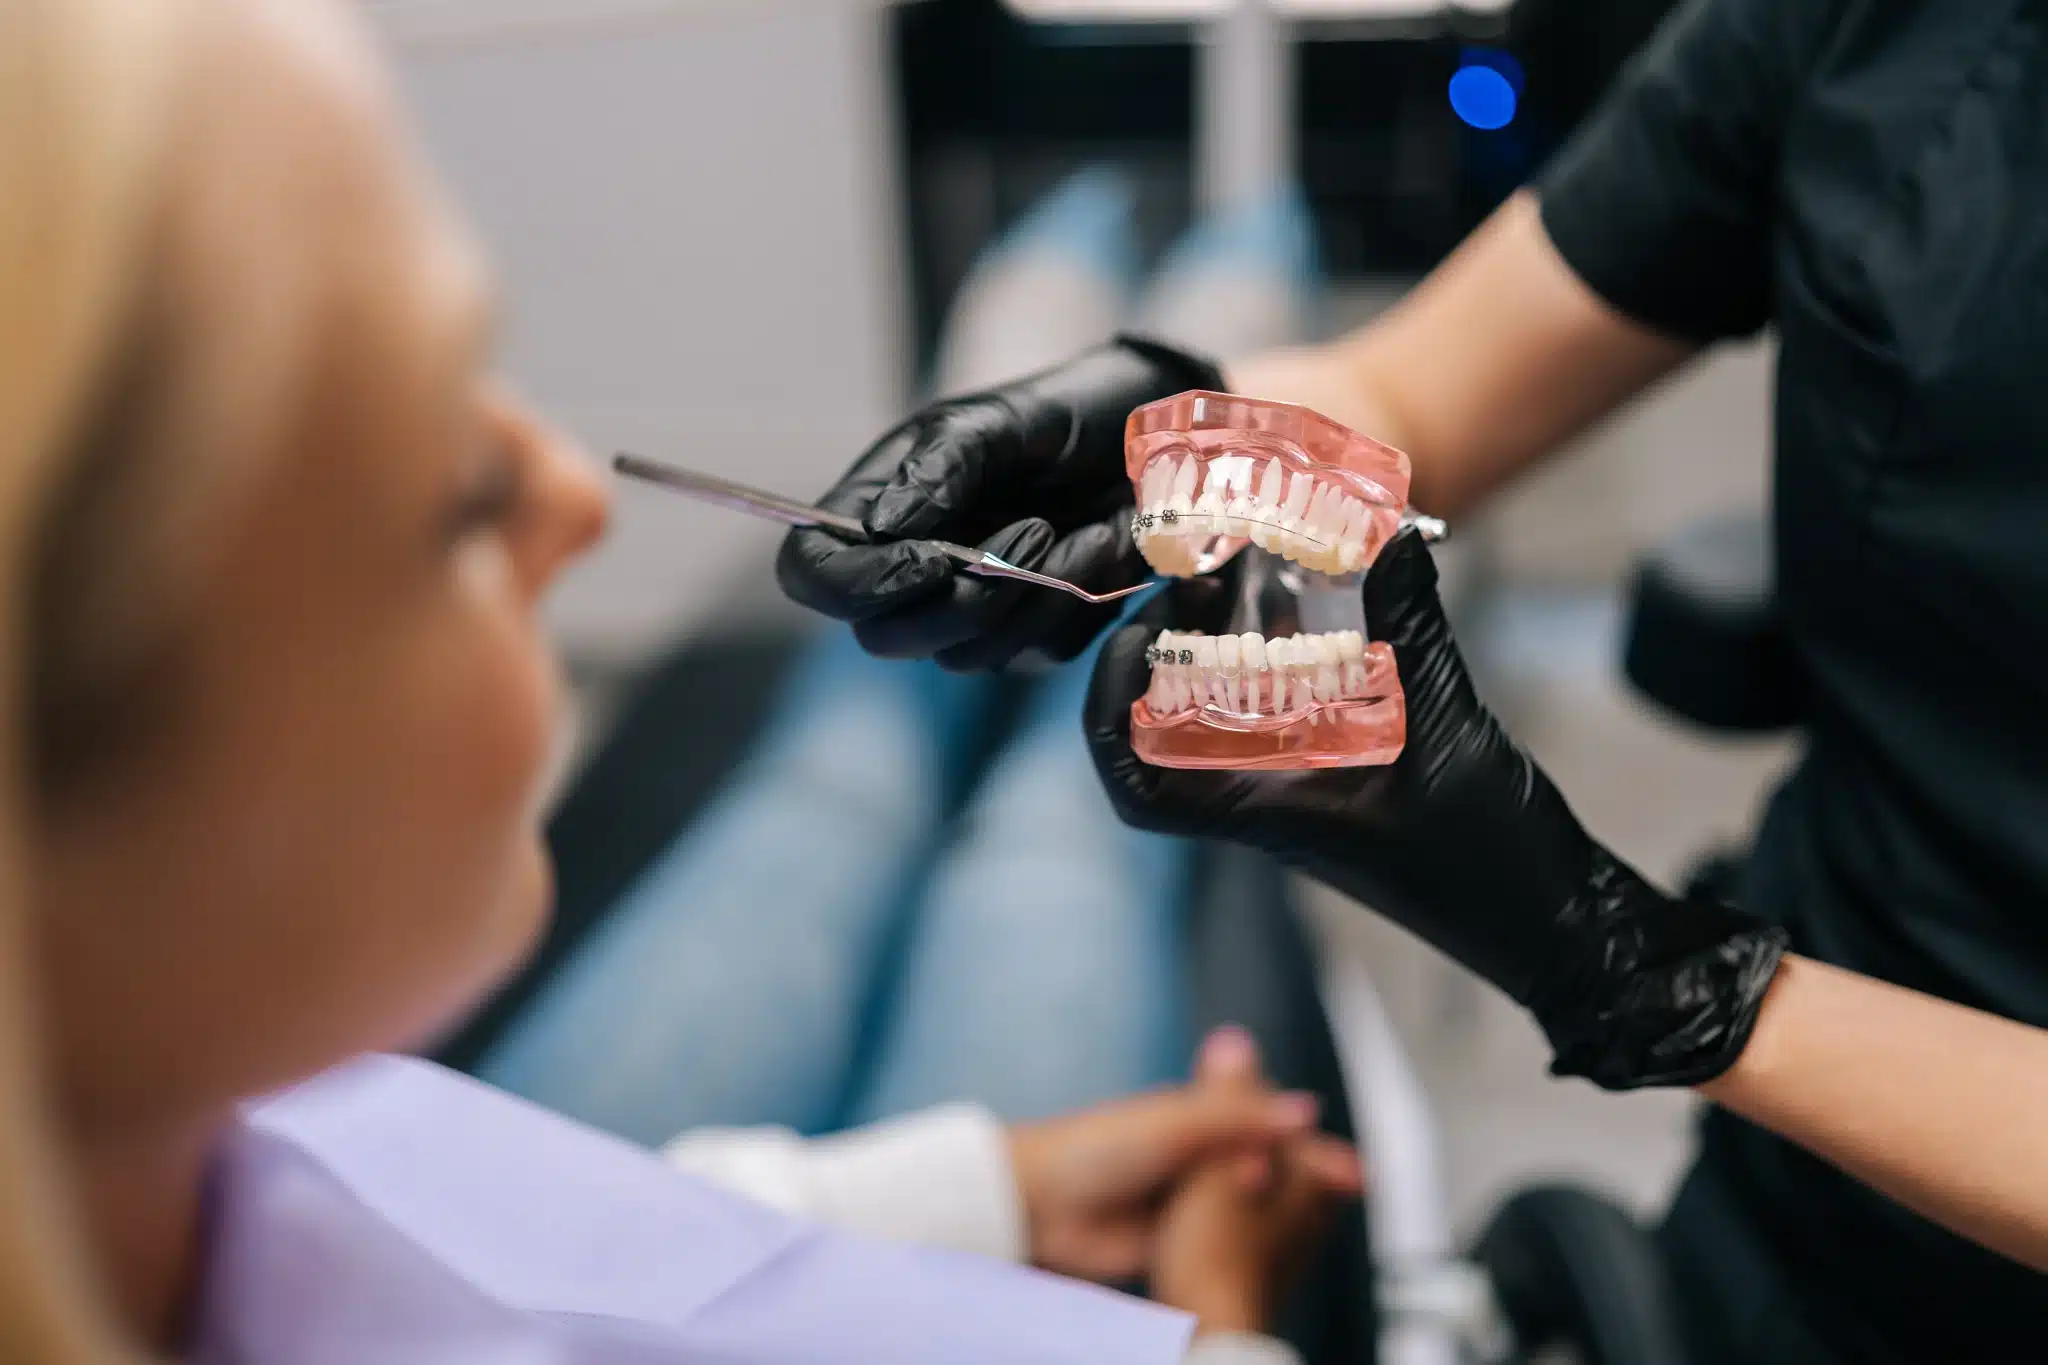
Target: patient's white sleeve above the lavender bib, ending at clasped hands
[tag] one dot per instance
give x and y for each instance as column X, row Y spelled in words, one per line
column 939, row 1178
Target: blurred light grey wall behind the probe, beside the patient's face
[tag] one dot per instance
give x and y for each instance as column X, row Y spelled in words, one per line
column 693, row 212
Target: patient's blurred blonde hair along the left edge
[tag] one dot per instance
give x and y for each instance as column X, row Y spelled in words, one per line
column 85, row 91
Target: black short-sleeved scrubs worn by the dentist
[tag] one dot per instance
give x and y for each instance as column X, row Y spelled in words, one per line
column 1871, row 179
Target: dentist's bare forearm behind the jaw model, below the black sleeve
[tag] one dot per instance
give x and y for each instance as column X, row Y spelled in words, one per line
column 1492, row 363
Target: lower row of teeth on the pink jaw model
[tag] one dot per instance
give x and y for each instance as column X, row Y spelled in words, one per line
column 1250, row 674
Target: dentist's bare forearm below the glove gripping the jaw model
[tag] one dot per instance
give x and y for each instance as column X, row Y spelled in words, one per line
column 1938, row 1106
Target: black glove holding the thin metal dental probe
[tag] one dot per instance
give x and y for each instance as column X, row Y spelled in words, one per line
column 1033, row 472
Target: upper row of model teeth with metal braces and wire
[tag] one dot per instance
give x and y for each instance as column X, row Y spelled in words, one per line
column 1289, row 513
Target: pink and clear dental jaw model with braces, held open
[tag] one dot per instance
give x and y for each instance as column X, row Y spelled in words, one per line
column 1310, row 504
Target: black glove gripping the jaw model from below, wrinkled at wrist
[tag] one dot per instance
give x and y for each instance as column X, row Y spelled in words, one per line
column 1467, row 844
